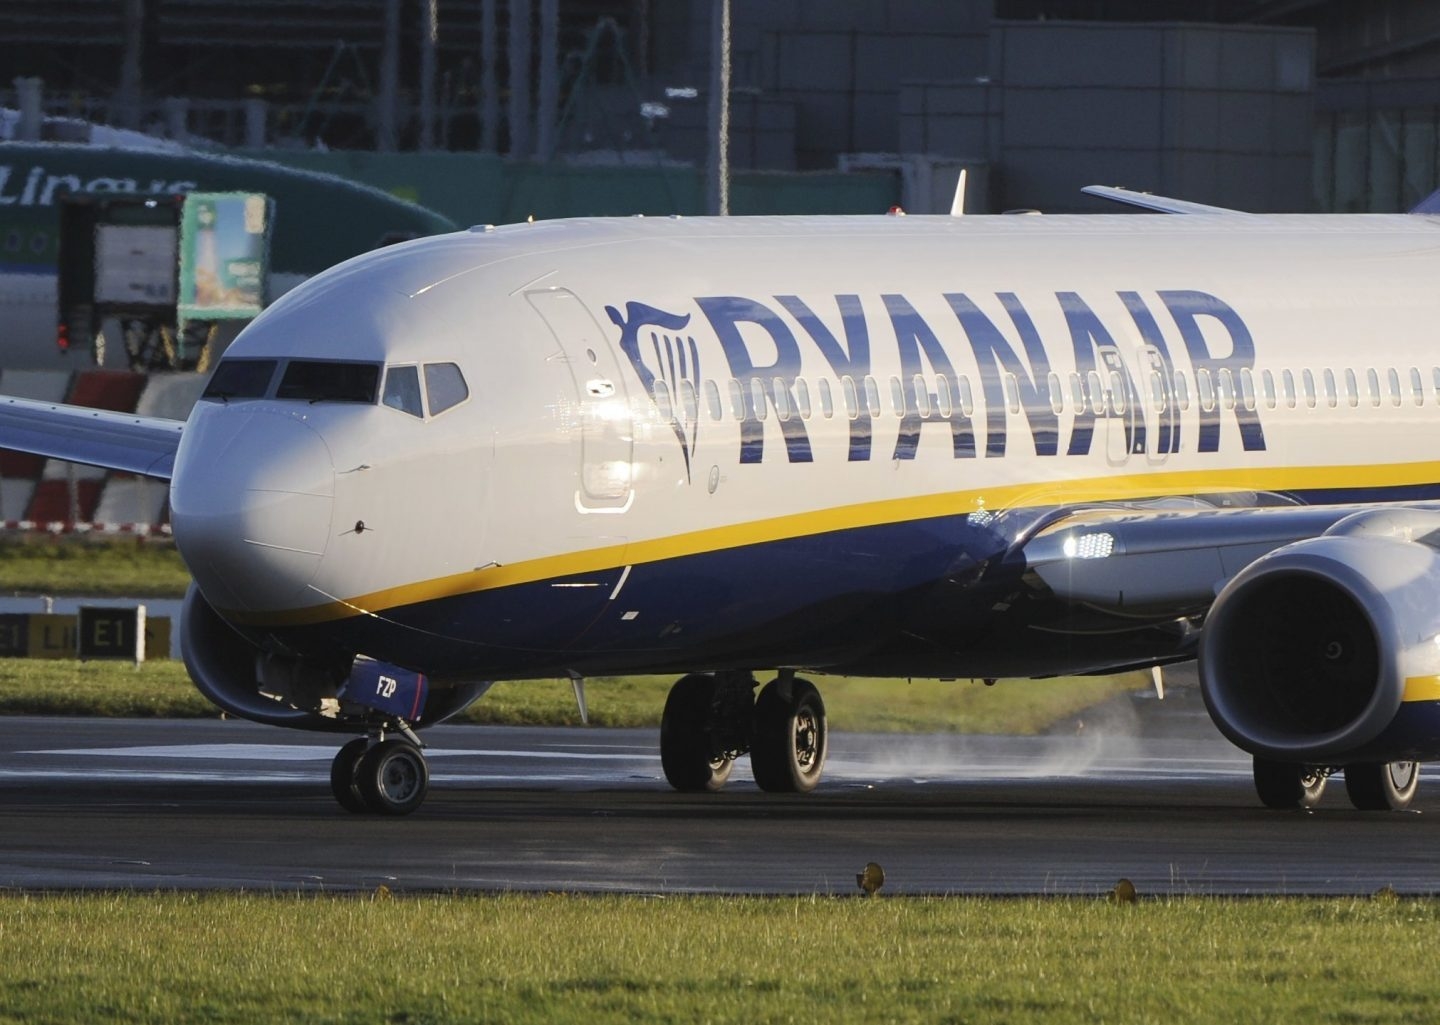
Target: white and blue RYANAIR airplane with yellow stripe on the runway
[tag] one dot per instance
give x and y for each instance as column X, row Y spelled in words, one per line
column 898, row 447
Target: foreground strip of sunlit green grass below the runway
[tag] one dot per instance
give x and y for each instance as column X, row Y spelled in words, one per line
column 518, row 959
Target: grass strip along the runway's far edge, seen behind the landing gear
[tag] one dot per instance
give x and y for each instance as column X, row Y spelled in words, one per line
column 162, row 689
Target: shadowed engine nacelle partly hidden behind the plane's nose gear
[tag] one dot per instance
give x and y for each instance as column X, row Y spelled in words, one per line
column 280, row 690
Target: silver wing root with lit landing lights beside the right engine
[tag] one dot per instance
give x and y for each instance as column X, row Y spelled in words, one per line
column 1141, row 561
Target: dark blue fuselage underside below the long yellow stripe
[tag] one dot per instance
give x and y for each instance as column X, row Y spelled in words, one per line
column 928, row 598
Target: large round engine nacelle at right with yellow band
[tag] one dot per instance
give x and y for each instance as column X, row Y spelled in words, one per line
column 1328, row 651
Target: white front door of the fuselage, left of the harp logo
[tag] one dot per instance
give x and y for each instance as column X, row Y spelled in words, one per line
column 607, row 438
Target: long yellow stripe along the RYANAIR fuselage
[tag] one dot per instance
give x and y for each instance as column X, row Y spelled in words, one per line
column 866, row 515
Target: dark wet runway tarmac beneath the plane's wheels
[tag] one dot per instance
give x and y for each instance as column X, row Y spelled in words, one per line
column 1143, row 790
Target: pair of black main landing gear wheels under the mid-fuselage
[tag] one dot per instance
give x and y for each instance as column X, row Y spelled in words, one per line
column 712, row 721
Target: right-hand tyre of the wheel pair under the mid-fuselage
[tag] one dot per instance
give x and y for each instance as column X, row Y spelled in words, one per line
column 788, row 748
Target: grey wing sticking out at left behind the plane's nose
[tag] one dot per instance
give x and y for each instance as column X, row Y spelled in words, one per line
column 143, row 446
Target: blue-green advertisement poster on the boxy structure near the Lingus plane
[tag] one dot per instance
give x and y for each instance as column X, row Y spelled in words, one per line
column 224, row 256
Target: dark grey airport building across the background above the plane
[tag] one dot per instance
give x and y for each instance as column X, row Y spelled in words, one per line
column 1261, row 104
